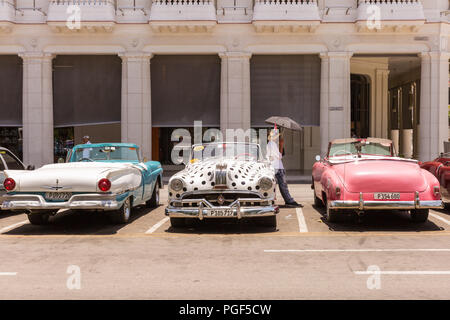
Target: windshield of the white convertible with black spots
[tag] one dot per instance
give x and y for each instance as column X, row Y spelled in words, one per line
column 241, row 151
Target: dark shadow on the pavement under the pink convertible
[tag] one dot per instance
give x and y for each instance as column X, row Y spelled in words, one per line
column 379, row 221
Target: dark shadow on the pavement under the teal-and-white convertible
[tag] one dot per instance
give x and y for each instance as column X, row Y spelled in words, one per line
column 78, row 222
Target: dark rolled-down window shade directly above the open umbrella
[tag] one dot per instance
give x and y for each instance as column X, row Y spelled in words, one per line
column 286, row 85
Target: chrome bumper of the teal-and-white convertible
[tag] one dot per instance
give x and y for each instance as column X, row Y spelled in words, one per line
column 82, row 201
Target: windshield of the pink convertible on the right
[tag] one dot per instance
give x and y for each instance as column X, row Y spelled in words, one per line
column 363, row 147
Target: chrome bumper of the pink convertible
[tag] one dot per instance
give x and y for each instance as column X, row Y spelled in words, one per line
column 386, row 205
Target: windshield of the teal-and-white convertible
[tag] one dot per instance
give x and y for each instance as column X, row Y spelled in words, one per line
column 105, row 153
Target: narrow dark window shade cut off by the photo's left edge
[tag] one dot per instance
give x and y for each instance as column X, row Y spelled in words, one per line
column 11, row 76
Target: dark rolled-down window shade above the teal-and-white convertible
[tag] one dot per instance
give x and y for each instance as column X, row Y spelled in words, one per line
column 86, row 90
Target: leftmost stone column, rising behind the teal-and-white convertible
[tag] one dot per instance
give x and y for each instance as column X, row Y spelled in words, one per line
column 37, row 108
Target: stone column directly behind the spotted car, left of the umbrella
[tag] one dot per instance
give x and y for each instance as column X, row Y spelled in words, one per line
column 235, row 91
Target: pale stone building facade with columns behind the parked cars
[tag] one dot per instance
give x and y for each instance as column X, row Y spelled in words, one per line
column 336, row 36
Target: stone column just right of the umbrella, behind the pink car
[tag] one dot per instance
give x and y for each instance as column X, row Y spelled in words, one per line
column 334, row 98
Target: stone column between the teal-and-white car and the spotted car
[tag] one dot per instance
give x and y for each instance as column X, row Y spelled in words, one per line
column 136, row 116
